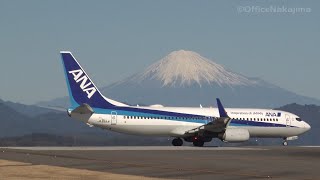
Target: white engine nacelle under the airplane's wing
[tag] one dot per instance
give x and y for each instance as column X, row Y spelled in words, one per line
column 235, row 135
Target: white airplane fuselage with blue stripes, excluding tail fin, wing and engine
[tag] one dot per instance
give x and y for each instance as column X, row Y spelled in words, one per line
column 259, row 122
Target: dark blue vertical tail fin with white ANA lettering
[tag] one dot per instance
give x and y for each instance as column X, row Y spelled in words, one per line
column 81, row 87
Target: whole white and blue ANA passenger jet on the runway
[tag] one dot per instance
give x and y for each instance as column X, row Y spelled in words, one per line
column 197, row 125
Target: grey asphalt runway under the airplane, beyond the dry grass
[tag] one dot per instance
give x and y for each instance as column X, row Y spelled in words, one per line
column 179, row 162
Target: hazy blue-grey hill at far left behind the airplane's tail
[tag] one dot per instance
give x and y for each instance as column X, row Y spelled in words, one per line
column 18, row 120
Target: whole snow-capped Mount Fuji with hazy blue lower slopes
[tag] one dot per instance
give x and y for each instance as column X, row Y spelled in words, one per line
column 185, row 78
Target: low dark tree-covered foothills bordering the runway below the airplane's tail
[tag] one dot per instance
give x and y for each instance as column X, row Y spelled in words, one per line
column 87, row 139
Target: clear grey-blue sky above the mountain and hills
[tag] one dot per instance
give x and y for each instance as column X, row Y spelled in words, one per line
column 115, row 39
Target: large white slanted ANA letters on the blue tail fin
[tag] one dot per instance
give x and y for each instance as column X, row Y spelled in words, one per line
column 78, row 76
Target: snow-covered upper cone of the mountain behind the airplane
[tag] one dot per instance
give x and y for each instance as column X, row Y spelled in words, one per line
column 187, row 67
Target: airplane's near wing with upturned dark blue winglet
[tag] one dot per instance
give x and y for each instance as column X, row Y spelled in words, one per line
column 219, row 124
